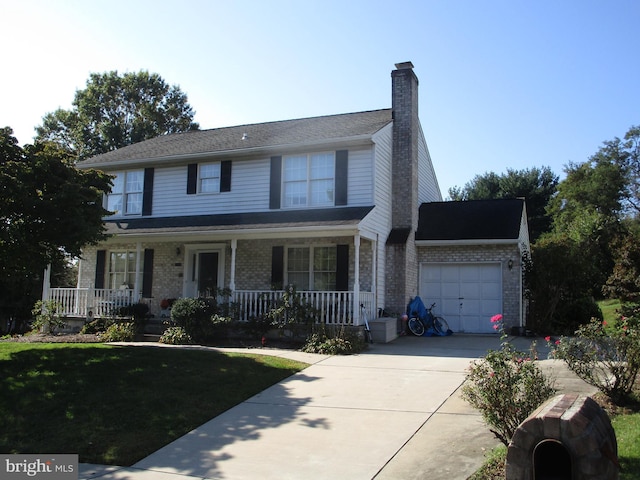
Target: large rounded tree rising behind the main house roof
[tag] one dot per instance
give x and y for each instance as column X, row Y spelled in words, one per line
column 118, row 110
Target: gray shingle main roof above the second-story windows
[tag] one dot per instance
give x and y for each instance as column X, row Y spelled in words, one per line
column 258, row 135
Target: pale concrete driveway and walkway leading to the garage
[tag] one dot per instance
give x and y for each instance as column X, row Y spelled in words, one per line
column 393, row 412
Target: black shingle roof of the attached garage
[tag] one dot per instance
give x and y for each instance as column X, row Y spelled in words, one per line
column 470, row 220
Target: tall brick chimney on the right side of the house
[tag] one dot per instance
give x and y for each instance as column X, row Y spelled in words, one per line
column 402, row 265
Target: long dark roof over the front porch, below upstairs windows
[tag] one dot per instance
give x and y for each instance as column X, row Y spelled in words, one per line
column 320, row 218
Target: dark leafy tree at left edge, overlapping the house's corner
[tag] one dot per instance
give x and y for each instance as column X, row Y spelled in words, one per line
column 48, row 211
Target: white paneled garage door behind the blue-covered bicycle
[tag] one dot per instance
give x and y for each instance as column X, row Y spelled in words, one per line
column 466, row 294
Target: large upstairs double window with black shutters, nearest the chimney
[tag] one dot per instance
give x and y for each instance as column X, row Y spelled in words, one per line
column 308, row 180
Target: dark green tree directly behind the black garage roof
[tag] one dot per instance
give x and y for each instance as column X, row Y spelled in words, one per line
column 535, row 185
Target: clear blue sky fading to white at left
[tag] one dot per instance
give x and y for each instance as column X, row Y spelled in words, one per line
column 503, row 84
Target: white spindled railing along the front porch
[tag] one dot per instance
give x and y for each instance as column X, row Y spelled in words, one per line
column 334, row 308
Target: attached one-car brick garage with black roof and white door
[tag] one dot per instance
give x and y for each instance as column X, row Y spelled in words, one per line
column 469, row 257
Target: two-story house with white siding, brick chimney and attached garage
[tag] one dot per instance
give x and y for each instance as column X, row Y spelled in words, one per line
column 329, row 204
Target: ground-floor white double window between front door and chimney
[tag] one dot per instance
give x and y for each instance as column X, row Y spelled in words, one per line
column 312, row 268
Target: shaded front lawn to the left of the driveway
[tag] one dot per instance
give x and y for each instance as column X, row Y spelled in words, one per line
column 115, row 405
